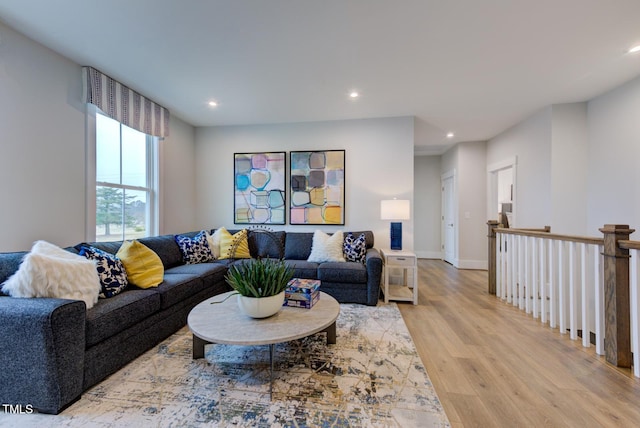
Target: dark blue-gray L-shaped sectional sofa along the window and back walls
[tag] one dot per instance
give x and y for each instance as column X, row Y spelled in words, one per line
column 54, row 349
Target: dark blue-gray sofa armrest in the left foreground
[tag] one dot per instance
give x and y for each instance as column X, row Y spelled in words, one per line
column 42, row 355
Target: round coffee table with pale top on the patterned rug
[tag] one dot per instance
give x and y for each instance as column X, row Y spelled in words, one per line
column 219, row 320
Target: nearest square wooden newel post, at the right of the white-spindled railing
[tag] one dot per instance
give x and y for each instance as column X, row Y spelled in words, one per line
column 617, row 343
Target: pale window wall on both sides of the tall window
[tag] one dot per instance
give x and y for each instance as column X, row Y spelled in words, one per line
column 42, row 151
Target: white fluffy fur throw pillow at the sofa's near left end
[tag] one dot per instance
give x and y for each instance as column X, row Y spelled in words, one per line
column 50, row 271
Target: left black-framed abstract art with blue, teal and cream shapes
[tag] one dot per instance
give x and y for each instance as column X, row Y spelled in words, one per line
column 259, row 188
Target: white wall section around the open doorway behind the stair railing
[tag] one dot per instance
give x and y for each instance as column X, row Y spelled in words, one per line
column 530, row 142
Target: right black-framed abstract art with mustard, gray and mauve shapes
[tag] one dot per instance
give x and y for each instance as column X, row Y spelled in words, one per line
column 317, row 187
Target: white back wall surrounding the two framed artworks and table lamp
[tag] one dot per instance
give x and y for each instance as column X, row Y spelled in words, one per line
column 379, row 165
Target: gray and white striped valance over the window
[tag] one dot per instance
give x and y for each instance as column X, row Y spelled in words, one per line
column 124, row 104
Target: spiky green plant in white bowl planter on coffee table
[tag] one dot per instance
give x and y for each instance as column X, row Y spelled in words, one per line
column 260, row 284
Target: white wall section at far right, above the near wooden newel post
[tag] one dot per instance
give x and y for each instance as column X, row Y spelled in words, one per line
column 614, row 154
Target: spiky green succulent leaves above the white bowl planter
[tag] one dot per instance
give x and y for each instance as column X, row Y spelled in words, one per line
column 259, row 277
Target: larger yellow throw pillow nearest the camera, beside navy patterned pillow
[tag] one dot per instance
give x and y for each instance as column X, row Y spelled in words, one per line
column 144, row 267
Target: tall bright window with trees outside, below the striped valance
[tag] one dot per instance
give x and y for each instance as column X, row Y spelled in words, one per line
column 125, row 189
